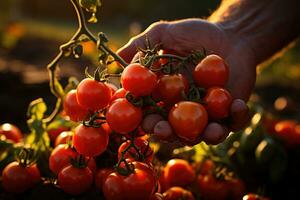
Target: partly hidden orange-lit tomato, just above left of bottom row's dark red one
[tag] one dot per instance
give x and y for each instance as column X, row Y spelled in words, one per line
column 60, row 158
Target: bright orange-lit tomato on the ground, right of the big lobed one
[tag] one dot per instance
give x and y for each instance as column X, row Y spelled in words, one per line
column 178, row 172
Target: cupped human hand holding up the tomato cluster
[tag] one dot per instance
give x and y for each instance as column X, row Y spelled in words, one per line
column 188, row 35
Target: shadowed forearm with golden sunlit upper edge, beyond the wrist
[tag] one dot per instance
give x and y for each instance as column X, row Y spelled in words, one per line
column 265, row 25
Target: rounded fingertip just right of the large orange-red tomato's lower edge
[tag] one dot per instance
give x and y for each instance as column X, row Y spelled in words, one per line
column 214, row 133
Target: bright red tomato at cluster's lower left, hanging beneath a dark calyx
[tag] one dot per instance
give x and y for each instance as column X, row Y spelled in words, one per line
column 90, row 141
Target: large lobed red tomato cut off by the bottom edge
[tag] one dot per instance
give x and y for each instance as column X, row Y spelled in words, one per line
column 137, row 186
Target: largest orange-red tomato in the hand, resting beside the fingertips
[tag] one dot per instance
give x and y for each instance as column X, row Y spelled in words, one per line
column 188, row 119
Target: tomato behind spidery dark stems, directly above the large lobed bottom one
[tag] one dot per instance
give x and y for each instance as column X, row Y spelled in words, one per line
column 143, row 147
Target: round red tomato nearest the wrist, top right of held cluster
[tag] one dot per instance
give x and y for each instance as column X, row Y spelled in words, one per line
column 211, row 71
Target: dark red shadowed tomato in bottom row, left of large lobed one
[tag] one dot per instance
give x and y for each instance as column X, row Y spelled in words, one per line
column 74, row 180
